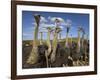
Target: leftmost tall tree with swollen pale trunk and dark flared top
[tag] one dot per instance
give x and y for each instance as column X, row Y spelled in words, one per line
column 33, row 57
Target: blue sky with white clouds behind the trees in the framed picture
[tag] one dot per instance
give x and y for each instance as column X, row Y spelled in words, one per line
column 47, row 19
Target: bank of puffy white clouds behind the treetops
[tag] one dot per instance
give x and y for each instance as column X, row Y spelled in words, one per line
column 44, row 25
